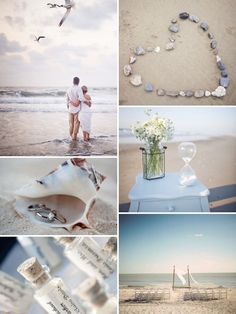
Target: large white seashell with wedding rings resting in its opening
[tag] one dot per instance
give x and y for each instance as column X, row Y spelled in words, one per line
column 67, row 193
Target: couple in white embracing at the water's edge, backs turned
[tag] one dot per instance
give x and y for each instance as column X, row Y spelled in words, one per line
column 79, row 108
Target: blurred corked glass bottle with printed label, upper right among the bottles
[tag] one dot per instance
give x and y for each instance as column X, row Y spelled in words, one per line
column 87, row 254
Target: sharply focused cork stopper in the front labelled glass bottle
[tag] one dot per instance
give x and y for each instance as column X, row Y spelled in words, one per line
column 33, row 271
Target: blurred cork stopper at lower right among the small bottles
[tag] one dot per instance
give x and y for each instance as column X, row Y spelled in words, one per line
column 91, row 290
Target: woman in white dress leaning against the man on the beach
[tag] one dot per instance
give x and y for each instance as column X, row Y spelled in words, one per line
column 86, row 115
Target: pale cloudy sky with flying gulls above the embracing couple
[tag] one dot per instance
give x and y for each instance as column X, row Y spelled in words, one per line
column 84, row 46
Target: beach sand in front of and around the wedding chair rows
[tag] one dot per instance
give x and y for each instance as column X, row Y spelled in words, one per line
column 174, row 306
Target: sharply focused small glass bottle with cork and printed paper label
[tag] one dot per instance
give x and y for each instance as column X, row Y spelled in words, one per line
column 51, row 293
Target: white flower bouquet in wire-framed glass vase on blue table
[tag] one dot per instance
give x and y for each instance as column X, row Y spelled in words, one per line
column 153, row 132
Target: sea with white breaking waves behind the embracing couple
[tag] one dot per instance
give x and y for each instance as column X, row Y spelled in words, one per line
column 46, row 99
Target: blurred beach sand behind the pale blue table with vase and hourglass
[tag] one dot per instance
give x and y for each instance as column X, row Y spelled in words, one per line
column 214, row 163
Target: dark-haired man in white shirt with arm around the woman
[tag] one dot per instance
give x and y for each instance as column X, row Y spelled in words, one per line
column 74, row 97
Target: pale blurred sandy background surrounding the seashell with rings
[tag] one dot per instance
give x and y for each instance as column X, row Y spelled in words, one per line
column 15, row 173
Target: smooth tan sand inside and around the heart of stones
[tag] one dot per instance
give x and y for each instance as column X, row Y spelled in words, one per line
column 191, row 65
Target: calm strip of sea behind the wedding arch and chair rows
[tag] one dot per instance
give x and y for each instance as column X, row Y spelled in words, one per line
column 221, row 279
